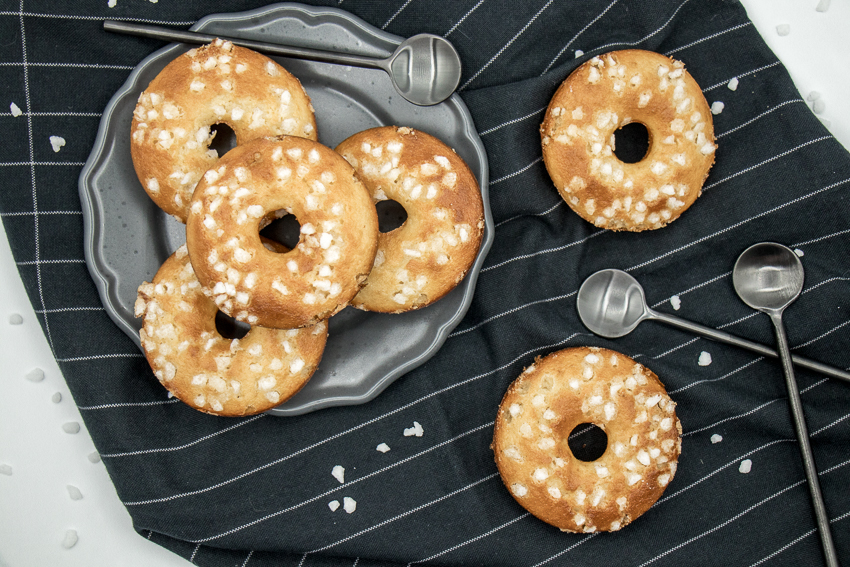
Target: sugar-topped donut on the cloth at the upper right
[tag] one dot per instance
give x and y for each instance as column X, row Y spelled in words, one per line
column 606, row 93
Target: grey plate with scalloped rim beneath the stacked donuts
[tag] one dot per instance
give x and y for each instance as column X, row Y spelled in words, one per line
column 127, row 237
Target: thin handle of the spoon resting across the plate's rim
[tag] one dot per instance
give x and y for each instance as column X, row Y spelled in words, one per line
column 185, row 36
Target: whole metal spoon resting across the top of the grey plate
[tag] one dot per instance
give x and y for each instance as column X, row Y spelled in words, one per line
column 425, row 69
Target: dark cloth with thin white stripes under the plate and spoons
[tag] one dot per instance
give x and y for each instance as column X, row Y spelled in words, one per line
column 255, row 491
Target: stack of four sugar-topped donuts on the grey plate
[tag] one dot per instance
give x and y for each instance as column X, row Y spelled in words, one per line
column 278, row 168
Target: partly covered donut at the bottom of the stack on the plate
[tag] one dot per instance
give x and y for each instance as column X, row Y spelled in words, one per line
column 211, row 373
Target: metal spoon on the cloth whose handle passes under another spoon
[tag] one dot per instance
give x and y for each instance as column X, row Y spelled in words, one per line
column 611, row 303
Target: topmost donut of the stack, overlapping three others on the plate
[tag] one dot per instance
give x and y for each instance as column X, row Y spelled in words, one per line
column 252, row 185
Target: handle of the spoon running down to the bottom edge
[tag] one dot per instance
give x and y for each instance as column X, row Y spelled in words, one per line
column 800, row 428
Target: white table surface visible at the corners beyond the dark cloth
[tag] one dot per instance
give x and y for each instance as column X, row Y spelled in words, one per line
column 35, row 507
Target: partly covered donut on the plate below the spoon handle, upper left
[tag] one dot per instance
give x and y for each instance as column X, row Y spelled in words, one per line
column 218, row 83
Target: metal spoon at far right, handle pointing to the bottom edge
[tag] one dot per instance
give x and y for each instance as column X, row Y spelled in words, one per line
column 769, row 277
